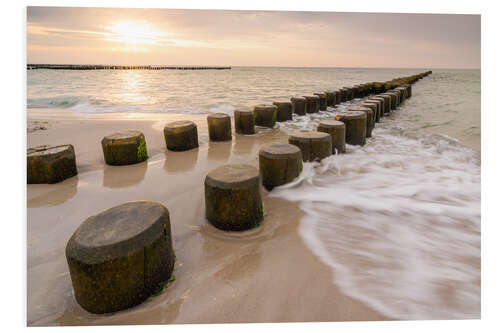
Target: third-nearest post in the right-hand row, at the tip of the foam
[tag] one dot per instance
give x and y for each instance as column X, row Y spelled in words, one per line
column 279, row 164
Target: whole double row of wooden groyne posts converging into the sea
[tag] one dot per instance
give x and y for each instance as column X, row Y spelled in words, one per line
column 134, row 240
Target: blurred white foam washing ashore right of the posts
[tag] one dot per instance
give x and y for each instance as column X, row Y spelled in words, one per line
column 398, row 221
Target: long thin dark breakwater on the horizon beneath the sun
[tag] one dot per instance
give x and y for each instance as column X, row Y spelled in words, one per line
column 121, row 67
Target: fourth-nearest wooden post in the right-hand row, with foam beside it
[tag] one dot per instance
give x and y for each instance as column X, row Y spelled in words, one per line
column 314, row 145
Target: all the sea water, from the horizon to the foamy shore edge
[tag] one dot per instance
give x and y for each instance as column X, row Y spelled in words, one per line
column 398, row 220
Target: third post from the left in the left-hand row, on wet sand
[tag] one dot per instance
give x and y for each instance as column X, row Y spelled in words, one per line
column 181, row 135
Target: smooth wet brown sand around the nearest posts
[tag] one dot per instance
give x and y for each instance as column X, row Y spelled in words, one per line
column 262, row 275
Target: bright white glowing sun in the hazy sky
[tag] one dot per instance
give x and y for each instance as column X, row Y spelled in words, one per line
column 134, row 33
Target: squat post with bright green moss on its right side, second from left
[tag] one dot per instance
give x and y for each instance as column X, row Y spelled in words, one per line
column 124, row 148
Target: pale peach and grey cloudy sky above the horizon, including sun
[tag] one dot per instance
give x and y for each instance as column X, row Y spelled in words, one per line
column 127, row 36
